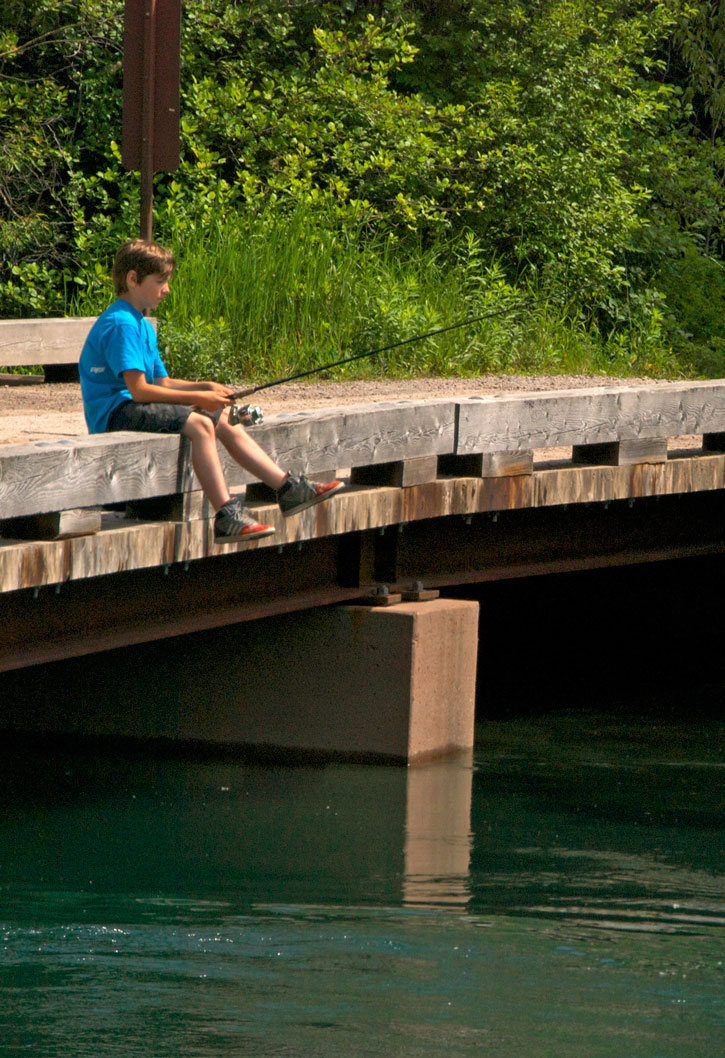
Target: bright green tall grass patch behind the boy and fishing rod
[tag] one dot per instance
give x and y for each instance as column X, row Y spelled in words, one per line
column 258, row 299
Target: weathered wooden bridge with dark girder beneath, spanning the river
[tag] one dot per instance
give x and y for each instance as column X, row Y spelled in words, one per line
column 106, row 541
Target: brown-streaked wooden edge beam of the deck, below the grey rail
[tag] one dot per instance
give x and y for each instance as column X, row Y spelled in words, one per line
column 130, row 545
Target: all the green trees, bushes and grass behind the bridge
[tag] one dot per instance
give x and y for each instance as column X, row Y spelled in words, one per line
column 576, row 145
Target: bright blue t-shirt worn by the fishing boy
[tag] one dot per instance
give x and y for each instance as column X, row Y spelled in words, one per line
column 121, row 340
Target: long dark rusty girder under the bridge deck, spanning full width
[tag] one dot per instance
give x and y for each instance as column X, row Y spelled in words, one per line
column 102, row 613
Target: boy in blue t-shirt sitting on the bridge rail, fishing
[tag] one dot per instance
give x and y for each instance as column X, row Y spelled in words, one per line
column 126, row 387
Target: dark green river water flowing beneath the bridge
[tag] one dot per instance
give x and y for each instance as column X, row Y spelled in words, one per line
column 561, row 895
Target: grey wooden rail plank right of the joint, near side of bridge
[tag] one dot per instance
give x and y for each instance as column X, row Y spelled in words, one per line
column 513, row 423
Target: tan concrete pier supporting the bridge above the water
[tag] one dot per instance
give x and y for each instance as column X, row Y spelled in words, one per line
column 371, row 682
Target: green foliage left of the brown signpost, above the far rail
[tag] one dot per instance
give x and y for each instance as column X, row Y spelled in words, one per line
column 60, row 98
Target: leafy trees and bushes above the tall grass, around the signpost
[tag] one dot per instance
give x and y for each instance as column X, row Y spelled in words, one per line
column 579, row 143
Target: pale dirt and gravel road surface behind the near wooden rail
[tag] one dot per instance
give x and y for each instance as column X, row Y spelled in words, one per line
column 33, row 411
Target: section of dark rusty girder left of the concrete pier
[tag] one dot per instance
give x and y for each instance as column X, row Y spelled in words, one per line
column 105, row 613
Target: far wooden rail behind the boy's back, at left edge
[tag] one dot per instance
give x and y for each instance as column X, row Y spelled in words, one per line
column 29, row 342
